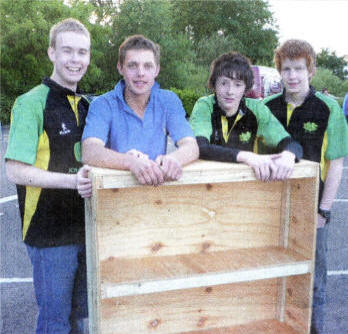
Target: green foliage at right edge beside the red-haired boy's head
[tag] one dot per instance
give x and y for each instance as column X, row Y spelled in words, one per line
column 324, row 78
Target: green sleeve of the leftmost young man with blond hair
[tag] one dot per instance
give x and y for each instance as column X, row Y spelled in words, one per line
column 26, row 128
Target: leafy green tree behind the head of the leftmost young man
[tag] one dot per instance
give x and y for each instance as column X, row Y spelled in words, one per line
column 24, row 42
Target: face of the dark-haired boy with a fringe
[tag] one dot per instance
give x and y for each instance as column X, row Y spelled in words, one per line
column 229, row 92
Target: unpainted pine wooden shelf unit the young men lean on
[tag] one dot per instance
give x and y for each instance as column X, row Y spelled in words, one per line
column 215, row 252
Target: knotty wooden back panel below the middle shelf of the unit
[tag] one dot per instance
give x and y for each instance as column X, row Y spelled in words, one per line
column 194, row 309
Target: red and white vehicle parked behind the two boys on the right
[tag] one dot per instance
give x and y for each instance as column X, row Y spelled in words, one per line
column 267, row 81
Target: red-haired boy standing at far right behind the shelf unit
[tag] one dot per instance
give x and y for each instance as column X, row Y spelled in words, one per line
column 317, row 123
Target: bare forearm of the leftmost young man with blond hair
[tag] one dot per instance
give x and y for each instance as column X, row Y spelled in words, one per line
column 28, row 175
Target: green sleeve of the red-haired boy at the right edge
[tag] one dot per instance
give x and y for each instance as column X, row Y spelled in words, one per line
column 337, row 133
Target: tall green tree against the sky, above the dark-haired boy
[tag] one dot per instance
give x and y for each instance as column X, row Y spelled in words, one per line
column 248, row 25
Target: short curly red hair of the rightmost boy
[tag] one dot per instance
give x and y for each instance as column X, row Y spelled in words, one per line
column 294, row 49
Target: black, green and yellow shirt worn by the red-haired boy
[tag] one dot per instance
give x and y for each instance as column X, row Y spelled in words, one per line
column 318, row 125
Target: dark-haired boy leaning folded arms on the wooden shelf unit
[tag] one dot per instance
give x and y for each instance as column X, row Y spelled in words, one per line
column 228, row 125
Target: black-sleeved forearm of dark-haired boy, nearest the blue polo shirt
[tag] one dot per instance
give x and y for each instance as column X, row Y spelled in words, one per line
column 209, row 151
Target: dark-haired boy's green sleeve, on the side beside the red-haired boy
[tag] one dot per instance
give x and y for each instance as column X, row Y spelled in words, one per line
column 269, row 128
